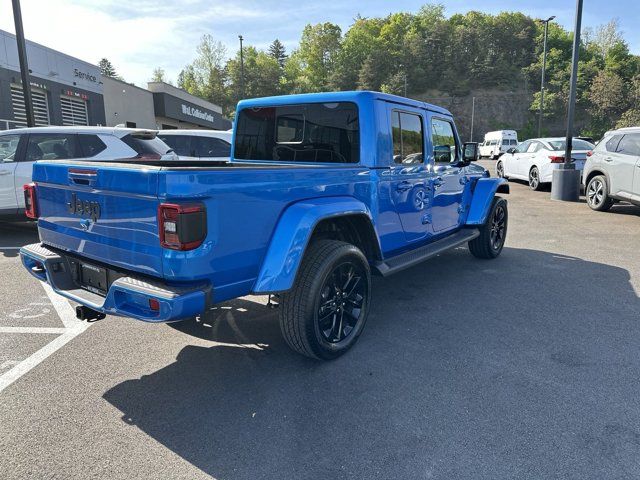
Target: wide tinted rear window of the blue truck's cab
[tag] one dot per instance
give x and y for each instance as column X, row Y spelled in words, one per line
column 330, row 133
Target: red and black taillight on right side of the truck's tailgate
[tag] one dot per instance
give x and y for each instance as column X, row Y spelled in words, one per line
column 182, row 227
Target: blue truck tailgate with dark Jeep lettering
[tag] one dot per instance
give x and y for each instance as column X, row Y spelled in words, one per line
column 107, row 213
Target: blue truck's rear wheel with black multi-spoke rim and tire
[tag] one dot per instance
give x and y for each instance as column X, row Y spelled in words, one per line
column 324, row 313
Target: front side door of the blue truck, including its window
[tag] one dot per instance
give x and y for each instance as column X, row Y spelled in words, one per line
column 447, row 181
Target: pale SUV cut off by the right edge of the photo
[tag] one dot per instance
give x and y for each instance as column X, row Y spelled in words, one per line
column 612, row 170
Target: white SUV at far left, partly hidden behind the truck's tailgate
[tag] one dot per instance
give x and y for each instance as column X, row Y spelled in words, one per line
column 20, row 148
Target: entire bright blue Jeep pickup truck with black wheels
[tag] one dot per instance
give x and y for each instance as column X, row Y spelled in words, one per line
column 322, row 191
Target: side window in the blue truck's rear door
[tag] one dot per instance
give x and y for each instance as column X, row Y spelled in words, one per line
column 408, row 138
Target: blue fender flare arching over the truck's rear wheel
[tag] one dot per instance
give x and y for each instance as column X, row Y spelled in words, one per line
column 291, row 236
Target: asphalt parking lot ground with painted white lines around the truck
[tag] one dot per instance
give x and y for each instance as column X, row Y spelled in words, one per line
column 522, row 367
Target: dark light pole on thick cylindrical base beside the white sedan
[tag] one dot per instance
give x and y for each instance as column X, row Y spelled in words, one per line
column 565, row 183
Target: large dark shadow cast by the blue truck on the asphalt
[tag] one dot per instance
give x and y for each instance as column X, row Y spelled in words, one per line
column 521, row 367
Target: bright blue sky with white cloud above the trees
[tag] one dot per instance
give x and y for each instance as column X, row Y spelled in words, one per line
column 139, row 35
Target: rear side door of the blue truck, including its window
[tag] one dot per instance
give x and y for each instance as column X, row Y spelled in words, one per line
column 408, row 173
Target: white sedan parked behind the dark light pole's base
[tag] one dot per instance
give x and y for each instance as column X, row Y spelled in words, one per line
column 535, row 160
